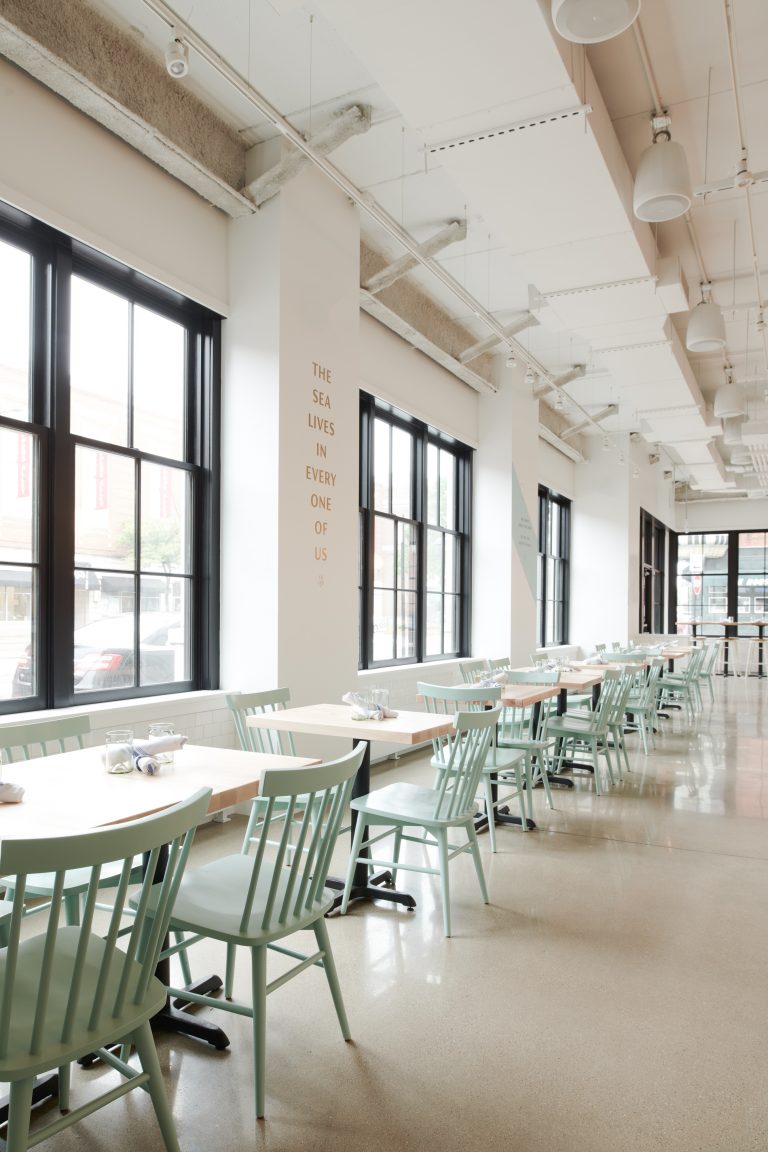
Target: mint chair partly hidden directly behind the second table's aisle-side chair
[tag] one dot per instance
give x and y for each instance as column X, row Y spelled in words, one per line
column 506, row 774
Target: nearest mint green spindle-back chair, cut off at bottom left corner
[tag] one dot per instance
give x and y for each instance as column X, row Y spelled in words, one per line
column 71, row 991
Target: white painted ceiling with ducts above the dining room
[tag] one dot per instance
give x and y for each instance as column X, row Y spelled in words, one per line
column 476, row 117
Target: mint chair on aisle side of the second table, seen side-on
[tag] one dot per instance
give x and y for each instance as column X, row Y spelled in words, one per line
column 440, row 813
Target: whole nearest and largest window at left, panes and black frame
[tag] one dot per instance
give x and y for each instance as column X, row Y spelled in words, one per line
column 109, row 478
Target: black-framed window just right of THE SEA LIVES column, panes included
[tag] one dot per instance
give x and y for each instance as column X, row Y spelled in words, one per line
column 415, row 554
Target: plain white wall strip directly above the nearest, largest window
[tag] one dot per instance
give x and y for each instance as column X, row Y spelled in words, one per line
column 70, row 172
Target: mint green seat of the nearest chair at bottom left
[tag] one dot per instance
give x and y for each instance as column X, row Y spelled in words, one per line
column 19, row 1064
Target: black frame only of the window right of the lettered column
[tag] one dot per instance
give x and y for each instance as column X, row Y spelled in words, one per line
column 423, row 436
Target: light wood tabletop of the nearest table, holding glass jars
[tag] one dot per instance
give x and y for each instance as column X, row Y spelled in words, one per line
column 73, row 791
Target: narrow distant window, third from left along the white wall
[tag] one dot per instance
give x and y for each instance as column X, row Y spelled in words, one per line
column 553, row 582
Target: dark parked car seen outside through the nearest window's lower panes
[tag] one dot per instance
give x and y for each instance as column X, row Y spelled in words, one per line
column 104, row 655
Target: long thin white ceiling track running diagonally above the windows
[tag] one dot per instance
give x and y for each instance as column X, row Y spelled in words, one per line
column 364, row 201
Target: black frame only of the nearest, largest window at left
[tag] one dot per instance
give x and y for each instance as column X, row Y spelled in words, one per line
column 56, row 259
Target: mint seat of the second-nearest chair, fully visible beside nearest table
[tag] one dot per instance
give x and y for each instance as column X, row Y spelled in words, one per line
column 212, row 898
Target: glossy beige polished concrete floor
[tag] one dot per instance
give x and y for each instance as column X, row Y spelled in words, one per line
column 612, row 997
